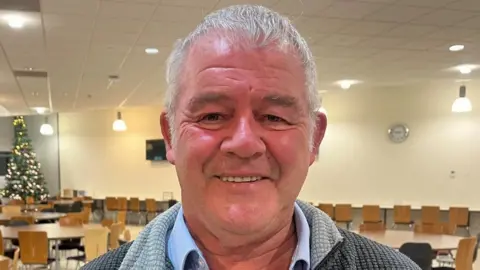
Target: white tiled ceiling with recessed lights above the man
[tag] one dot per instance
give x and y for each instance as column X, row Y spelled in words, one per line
column 62, row 58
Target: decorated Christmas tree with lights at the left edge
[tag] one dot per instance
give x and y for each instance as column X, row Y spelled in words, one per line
column 23, row 178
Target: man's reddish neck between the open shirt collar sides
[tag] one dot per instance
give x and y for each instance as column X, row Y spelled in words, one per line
column 265, row 250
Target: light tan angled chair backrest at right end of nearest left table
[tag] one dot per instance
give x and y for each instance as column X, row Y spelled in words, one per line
column 96, row 243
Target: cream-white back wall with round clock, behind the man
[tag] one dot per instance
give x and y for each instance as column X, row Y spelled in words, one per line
column 357, row 163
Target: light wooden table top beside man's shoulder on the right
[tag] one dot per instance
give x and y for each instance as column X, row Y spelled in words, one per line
column 395, row 239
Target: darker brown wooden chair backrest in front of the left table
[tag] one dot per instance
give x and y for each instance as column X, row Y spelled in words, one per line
column 34, row 246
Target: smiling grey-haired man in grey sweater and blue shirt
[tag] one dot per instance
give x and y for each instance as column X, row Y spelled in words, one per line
column 241, row 127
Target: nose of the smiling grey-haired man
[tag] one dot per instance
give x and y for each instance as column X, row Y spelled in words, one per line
column 244, row 141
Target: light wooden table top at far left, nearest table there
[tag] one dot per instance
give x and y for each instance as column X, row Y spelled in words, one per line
column 54, row 231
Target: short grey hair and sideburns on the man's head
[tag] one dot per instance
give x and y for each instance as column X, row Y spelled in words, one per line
column 249, row 22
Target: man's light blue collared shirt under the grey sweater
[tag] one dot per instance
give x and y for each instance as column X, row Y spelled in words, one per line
column 185, row 254
